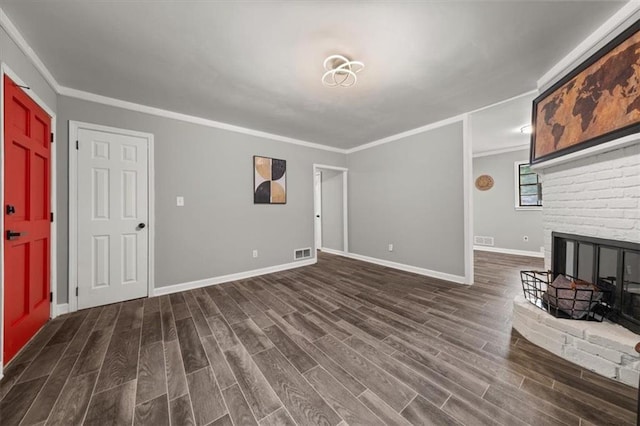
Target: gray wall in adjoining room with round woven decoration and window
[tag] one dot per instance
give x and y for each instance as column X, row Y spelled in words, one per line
column 494, row 211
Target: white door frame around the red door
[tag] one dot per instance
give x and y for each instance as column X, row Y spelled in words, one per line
column 5, row 70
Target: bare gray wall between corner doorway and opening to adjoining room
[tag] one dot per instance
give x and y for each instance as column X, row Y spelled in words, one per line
column 410, row 193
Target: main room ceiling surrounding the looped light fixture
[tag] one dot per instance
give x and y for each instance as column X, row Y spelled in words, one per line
column 258, row 64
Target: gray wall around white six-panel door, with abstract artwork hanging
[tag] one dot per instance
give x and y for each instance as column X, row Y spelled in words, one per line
column 219, row 226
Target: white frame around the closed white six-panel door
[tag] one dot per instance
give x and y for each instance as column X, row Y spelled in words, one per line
column 74, row 127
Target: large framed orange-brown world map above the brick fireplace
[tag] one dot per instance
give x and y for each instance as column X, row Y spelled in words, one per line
column 595, row 103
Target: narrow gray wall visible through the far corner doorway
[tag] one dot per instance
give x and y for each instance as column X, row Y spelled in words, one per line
column 332, row 211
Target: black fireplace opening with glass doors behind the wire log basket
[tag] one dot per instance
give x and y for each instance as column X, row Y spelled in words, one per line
column 611, row 265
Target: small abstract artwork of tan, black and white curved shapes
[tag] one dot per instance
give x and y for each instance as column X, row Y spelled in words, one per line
column 269, row 180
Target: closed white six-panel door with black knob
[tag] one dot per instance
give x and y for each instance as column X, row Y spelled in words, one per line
column 112, row 217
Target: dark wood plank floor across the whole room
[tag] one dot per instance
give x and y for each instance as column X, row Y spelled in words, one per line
column 340, row 342
